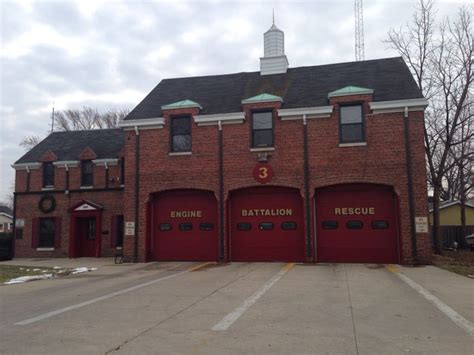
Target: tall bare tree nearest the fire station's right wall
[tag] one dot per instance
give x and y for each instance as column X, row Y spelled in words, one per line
column 440, row 58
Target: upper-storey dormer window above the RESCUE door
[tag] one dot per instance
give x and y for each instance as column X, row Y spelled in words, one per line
column 351, row 127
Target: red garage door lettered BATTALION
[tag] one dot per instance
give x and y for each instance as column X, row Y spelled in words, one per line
column 266, row 225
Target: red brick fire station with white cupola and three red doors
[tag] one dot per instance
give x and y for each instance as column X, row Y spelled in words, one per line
column 311, row 164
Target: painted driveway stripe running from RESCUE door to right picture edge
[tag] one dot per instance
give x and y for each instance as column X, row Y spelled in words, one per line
column 443, row 307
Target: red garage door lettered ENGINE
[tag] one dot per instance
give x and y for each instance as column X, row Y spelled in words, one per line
column 185, row 226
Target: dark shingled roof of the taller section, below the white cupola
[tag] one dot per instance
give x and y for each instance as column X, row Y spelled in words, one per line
column 300, row 87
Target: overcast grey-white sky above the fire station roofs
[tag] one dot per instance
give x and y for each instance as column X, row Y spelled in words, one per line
column 109, row 55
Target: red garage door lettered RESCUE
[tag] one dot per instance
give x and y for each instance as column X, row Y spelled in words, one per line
column 356, row 223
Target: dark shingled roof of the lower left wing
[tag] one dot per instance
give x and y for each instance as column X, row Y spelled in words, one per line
column 106, row 143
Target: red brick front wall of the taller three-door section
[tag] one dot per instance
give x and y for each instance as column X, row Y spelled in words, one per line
column 381, row 161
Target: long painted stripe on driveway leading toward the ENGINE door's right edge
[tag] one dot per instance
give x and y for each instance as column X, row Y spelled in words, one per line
column 104, row 297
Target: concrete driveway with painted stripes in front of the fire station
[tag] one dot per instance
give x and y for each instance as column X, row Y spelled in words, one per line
column 241, row 308
